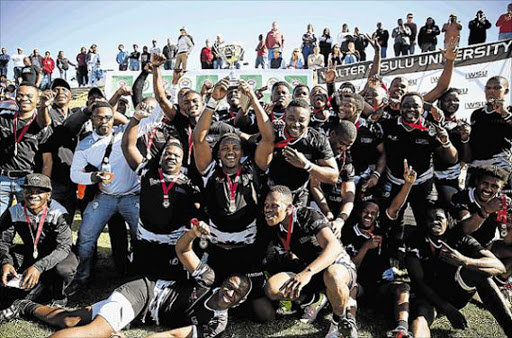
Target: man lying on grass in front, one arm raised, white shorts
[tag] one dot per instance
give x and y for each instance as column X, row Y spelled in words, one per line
column 190, row 309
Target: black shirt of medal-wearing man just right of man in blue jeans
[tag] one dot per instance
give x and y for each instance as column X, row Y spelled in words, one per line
column 154, row 217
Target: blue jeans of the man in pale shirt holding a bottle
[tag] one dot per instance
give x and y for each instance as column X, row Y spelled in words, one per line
column 95, row 217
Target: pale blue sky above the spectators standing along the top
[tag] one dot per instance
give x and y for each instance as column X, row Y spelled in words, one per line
column 69, row 25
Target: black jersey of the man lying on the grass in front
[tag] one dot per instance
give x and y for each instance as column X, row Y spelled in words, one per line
column 186, row 304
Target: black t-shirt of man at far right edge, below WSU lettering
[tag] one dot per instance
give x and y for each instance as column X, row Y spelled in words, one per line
column 490, row 135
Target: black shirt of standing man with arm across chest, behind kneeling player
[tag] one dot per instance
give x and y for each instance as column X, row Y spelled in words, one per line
column 313, row 145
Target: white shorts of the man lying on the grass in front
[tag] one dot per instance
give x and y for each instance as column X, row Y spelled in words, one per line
column 116, row 310
